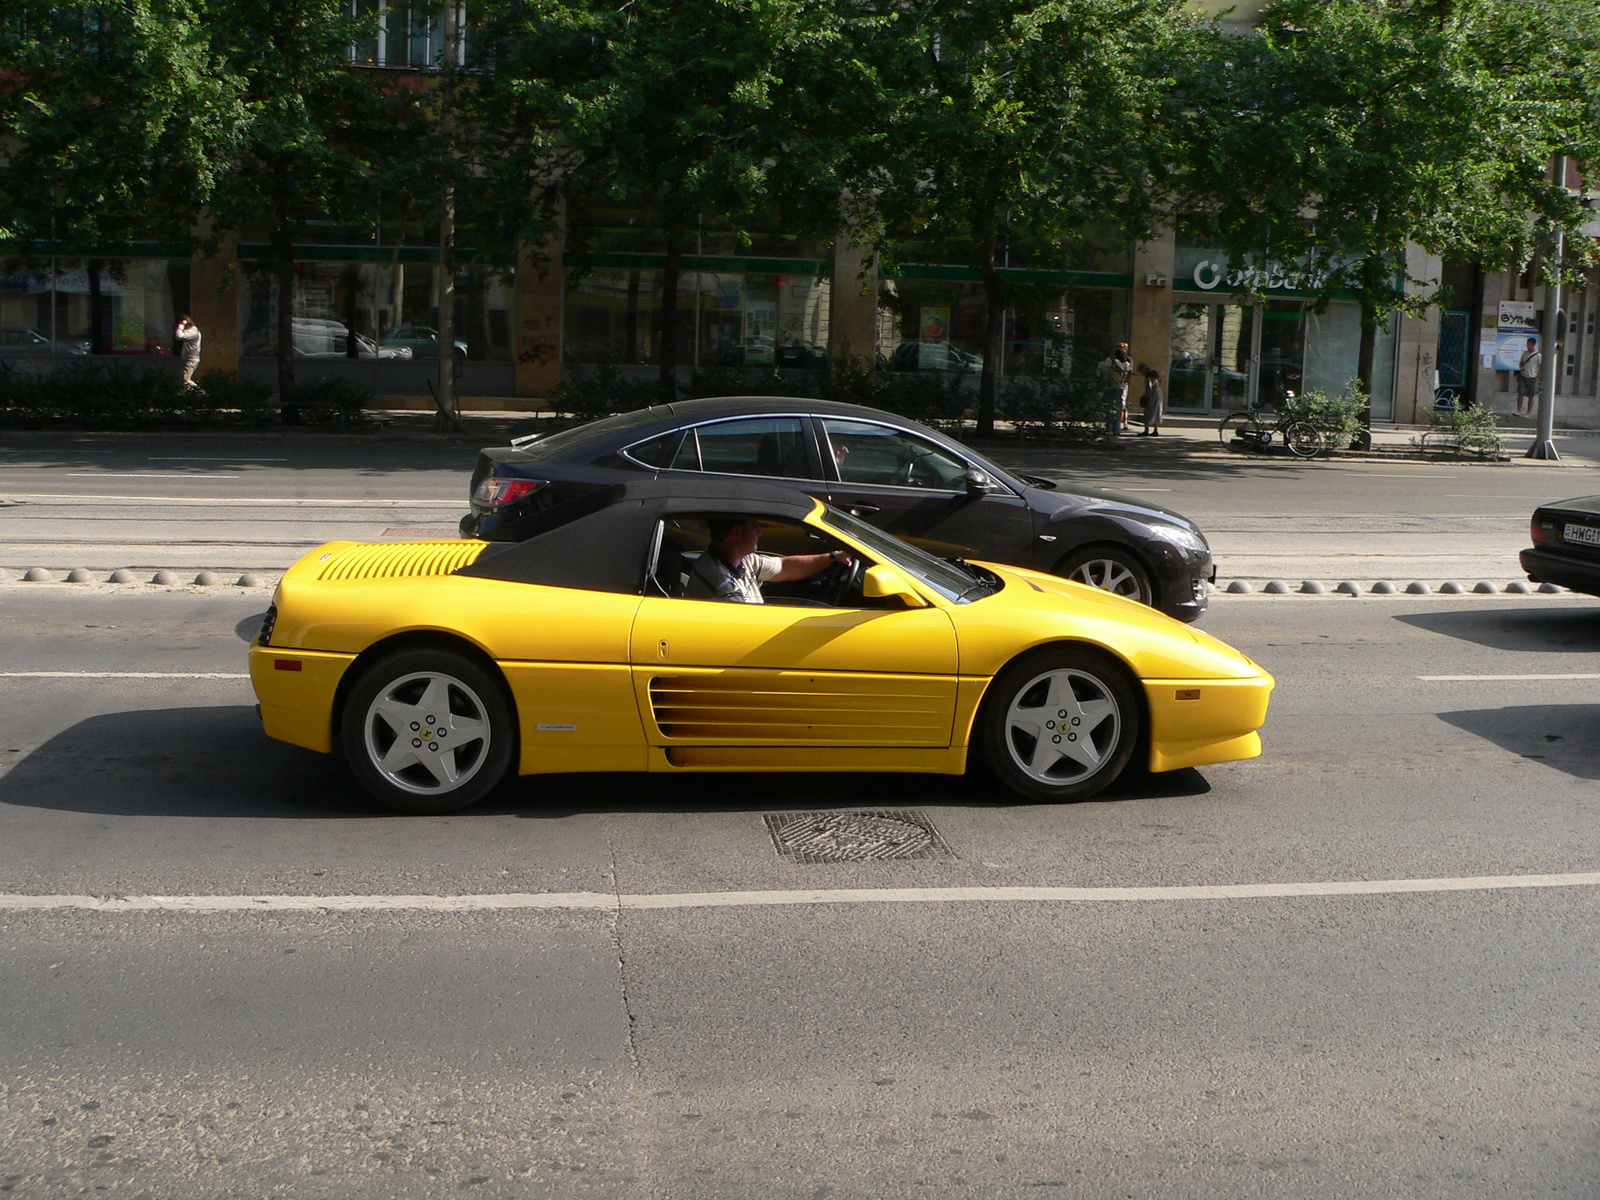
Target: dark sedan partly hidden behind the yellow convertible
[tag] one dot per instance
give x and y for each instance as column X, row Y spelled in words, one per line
column 889, row 471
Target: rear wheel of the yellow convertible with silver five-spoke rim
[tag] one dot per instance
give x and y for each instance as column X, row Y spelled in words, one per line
column 446, row 690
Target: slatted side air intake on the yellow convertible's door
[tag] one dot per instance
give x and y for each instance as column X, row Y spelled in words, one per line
column 785, row 710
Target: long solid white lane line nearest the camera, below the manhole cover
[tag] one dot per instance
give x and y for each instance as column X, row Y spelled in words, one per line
column 750, row 900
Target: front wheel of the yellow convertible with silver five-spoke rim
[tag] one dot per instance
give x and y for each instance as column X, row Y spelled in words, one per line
column 1020, row 759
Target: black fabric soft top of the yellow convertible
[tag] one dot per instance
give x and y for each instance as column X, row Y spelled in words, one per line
column 606, row 546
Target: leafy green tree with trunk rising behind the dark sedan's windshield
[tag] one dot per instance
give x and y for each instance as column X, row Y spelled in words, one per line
column 1015, row 121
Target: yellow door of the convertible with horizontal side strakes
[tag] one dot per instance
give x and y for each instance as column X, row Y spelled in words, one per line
column 711, row 673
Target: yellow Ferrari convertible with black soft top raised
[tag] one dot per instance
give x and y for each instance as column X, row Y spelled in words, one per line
column 439, row 668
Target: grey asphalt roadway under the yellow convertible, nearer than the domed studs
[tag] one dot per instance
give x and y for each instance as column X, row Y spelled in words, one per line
column 1430, row 1044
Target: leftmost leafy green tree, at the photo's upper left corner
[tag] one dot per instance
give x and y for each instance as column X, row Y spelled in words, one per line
column 113, row 118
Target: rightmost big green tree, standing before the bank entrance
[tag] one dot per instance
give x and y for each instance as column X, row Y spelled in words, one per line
column 1350, row 129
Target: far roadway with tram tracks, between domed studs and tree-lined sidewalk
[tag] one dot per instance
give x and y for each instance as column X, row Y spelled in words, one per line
column 257, row 503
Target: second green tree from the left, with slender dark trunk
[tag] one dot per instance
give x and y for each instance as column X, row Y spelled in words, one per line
column 314, row 132
